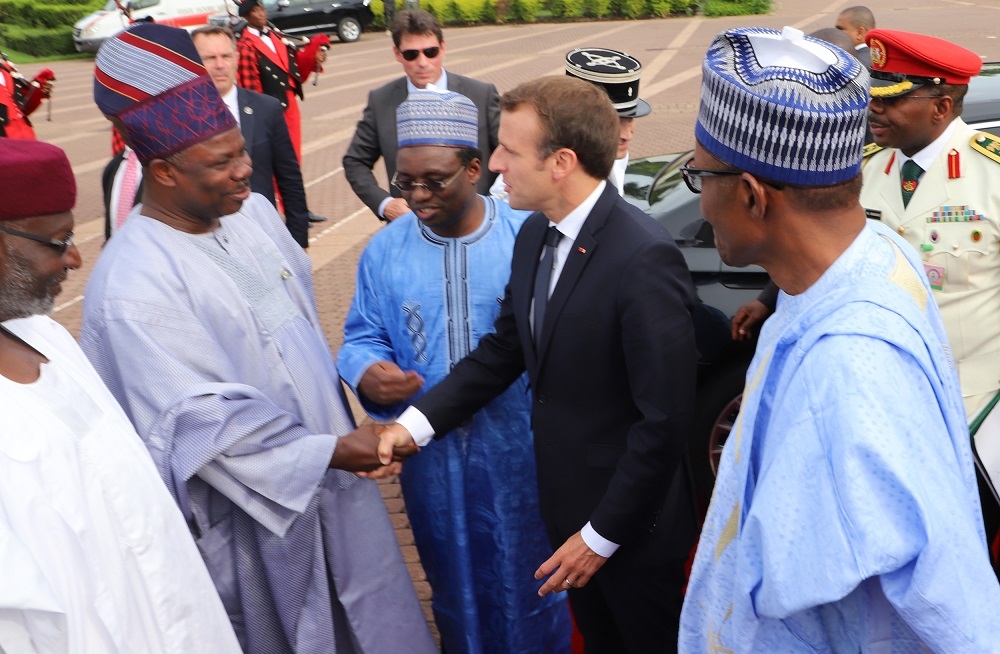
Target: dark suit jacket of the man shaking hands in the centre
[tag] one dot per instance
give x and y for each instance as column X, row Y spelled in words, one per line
column 613, row 381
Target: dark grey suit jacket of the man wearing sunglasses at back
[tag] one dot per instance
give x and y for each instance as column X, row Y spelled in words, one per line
column 376, row 135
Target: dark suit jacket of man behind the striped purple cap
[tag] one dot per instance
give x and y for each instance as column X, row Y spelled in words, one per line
column 270, row 147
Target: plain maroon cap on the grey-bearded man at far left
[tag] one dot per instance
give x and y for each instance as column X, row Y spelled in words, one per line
column 37, row 179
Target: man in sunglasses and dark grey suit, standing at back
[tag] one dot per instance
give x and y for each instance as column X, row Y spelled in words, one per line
column 418, row 45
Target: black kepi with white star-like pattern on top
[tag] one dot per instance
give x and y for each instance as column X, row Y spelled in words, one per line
column 615, row 72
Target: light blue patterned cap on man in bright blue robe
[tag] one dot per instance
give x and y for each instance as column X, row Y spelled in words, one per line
column 429, row 117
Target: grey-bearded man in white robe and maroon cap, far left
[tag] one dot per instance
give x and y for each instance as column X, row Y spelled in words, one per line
column 94, row 554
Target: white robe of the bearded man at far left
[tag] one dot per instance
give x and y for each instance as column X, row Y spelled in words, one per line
column 94, row 555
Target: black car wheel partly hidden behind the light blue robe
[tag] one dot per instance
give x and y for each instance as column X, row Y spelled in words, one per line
column 717, row 406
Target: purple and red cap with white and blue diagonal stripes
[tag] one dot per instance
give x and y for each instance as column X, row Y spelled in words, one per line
column 150, row 80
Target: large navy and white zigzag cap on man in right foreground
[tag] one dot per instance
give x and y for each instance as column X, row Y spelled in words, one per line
column 784, row 106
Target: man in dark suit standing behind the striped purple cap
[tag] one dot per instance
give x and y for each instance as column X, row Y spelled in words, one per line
column 263, row 127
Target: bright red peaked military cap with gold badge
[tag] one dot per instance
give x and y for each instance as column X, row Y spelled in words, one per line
column 903, row 61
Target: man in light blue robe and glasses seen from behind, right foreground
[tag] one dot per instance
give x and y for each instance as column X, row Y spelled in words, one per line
column 845, row 515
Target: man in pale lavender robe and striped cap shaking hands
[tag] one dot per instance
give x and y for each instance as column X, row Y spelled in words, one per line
column 200, row 317
